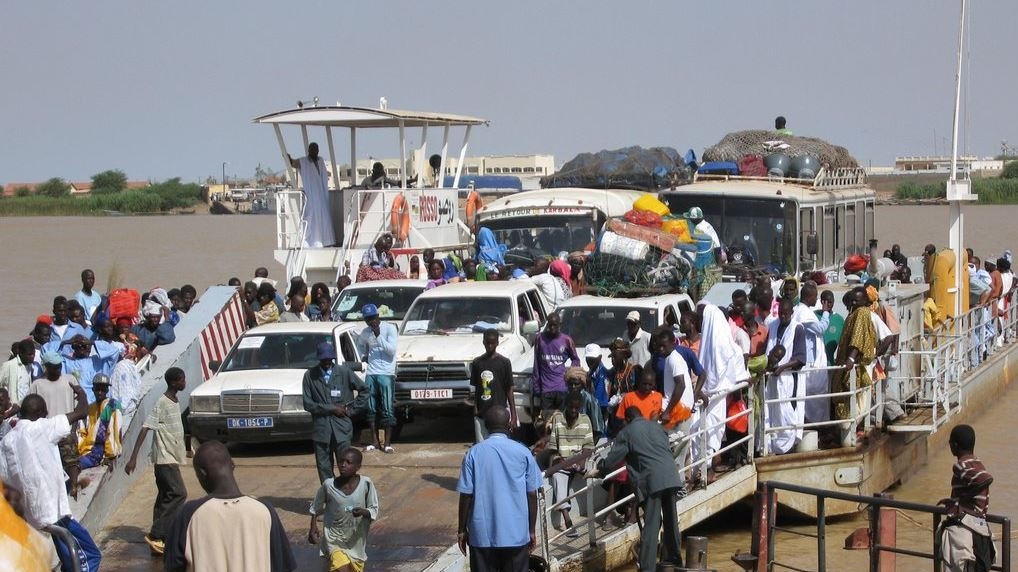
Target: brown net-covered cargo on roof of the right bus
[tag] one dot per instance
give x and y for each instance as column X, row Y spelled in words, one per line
column 738, row 145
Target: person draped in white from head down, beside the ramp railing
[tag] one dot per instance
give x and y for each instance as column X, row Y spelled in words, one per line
column 723, row 369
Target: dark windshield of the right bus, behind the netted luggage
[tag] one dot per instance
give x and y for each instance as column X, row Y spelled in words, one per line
column 763, row 228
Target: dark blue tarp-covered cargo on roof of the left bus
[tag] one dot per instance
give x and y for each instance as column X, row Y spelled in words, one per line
column 632, row 167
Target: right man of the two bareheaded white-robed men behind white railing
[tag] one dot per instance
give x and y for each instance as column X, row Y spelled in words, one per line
column 817, row 383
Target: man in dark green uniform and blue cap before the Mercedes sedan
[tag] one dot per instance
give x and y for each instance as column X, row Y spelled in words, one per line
column 328, row 388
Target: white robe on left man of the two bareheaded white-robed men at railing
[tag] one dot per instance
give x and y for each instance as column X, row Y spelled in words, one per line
column 783, row 387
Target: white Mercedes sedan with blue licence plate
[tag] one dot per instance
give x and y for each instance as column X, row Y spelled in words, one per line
column 257, row 394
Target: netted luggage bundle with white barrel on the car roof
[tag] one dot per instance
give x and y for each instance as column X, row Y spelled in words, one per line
column 632, row 262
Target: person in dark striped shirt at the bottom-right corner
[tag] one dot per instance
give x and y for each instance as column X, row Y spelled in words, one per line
column 967, row 544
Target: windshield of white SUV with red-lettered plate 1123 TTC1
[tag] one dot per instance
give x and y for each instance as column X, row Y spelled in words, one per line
column 459, row 316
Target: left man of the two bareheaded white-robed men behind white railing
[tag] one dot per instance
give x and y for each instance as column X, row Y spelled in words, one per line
column 782, row 384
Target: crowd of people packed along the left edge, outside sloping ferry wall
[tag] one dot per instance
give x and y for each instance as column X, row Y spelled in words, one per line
column 68, row 393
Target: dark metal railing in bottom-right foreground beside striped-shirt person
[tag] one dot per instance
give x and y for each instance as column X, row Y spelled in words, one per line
column 882, row 540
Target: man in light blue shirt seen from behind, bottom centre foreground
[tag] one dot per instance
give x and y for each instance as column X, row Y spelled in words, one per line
column 496, row 477
